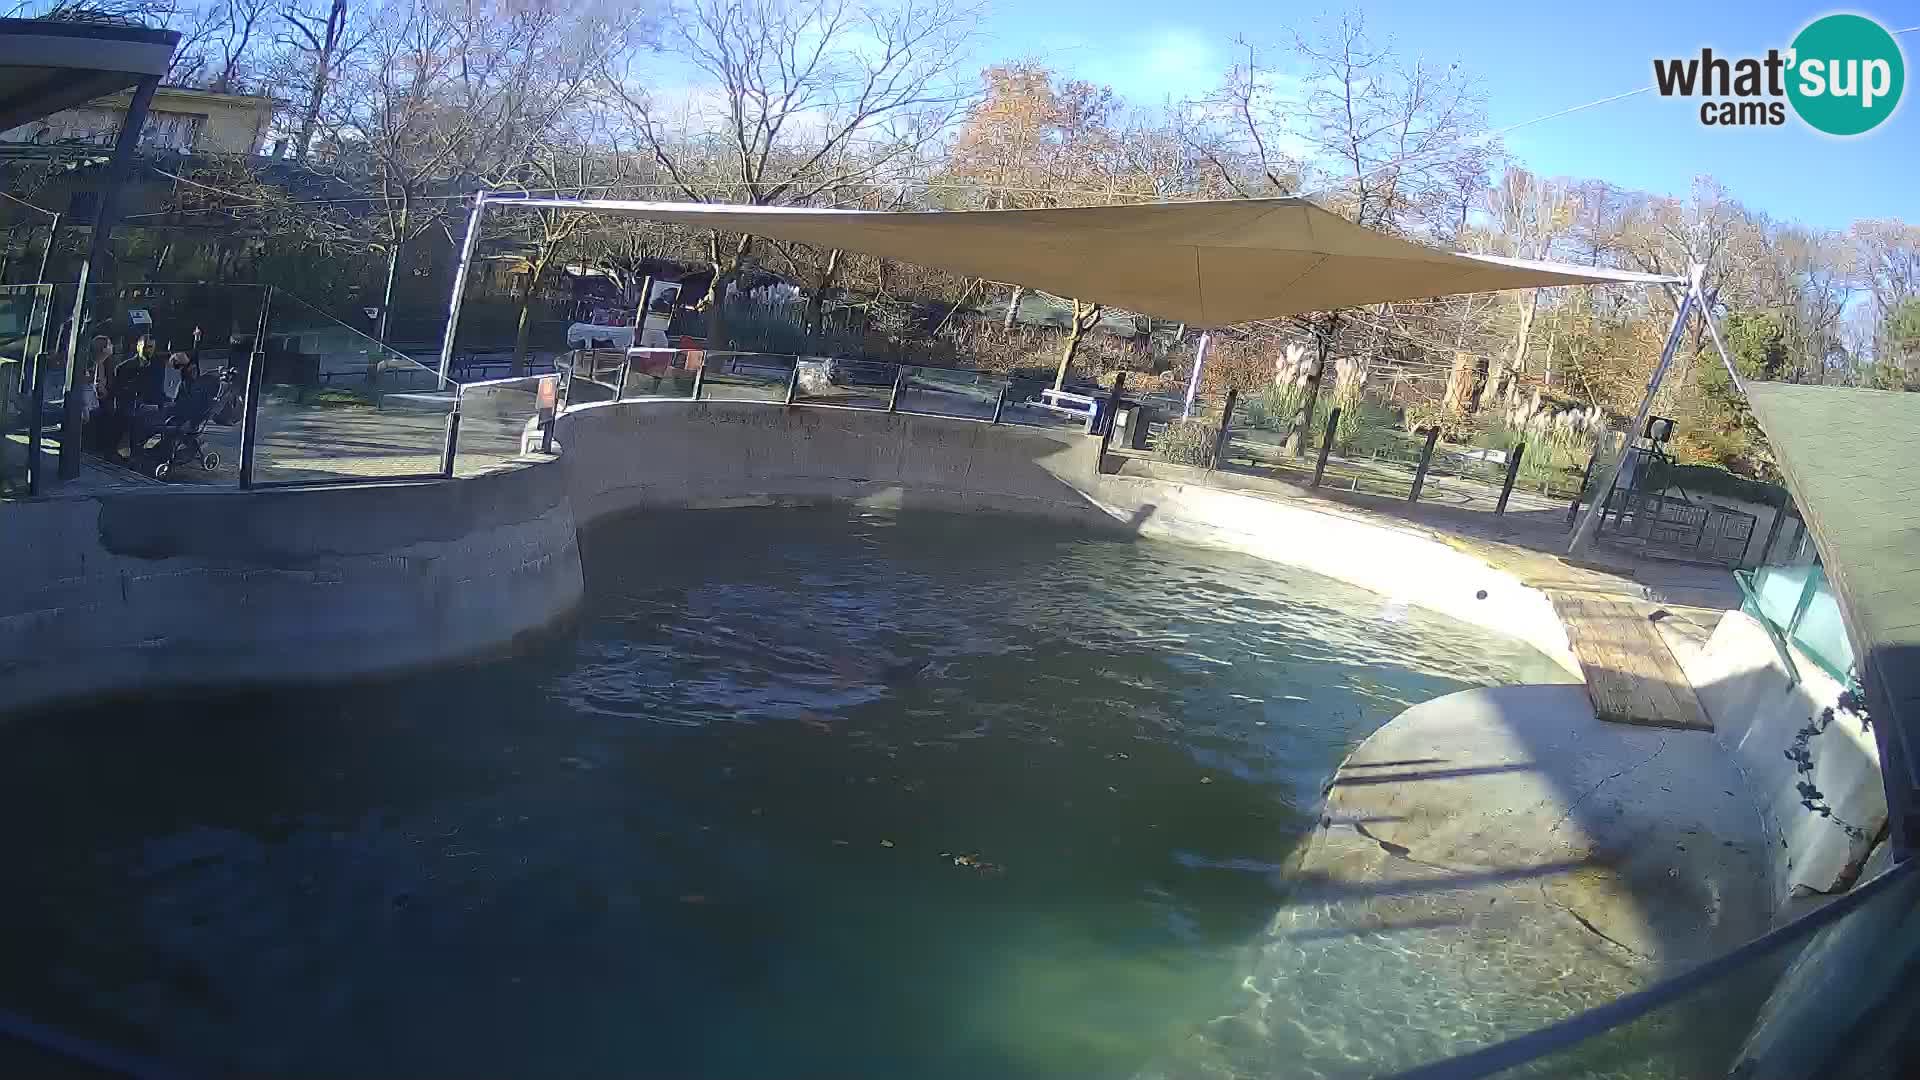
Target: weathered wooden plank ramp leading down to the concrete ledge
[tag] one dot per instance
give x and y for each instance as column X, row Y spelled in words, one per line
column 1631, row 675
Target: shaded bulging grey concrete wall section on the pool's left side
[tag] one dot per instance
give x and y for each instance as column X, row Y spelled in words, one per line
column 130, row 593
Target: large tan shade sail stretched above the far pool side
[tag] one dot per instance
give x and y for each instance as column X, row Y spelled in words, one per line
column 1209, row 264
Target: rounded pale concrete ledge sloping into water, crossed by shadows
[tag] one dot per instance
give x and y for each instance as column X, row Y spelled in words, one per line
column 1489, row 864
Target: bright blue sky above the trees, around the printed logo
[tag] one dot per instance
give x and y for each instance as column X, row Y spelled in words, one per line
column 1533, row 61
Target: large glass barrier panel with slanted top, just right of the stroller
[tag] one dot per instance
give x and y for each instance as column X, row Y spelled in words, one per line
column 337, row 405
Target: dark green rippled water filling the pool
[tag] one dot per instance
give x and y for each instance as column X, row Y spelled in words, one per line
column 809, row 793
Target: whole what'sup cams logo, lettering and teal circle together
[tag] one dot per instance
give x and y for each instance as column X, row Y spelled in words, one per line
column 1842, row 76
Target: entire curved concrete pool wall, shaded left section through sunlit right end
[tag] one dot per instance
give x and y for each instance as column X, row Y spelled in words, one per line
column 141, row 591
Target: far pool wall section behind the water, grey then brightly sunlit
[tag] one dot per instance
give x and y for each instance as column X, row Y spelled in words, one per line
column 683, row 454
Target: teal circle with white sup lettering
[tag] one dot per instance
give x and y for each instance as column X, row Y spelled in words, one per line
column 1848, row 74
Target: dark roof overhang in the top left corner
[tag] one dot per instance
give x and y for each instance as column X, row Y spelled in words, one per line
column 49, row 66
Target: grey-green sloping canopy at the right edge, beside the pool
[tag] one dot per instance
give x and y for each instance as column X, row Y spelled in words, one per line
column 1852, row 460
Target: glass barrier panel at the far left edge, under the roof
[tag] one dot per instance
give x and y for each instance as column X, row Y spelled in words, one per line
column 32, row 385
